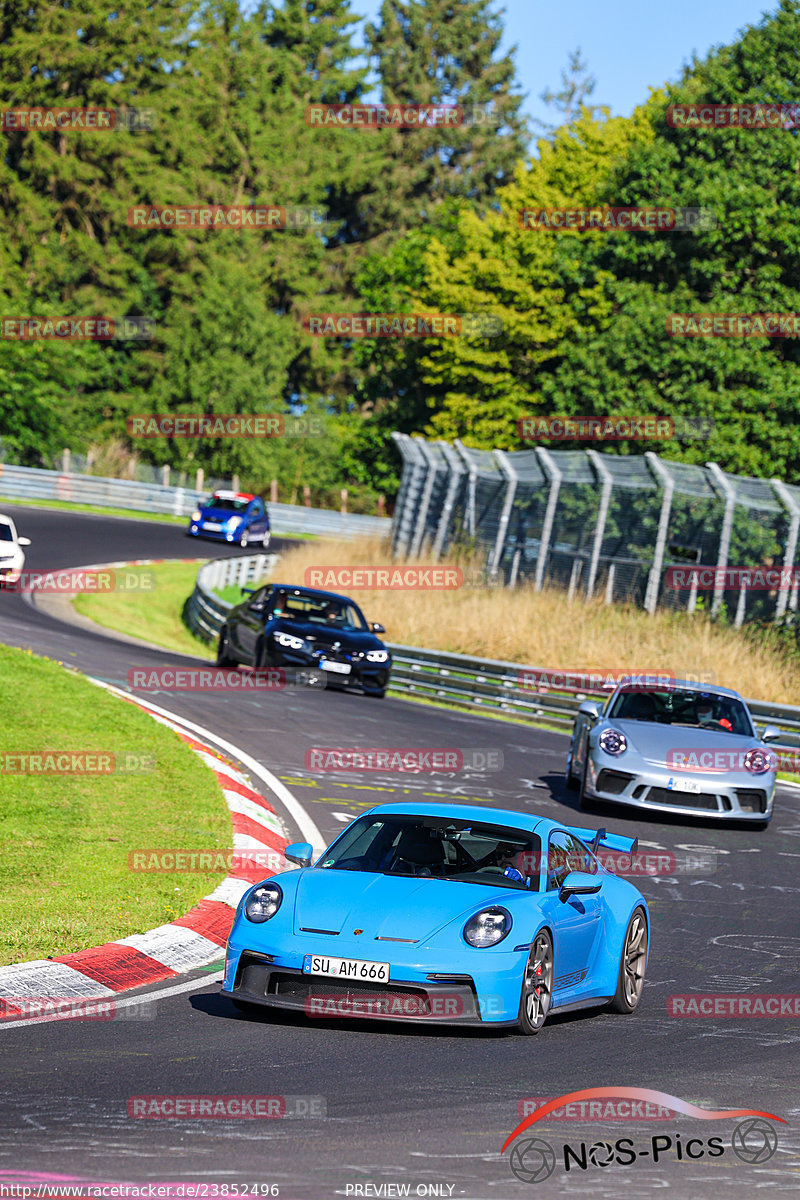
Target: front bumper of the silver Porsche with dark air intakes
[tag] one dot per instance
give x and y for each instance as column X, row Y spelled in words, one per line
column 736, row 796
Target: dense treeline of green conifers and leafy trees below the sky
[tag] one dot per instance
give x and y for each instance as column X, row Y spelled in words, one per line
column 416, row 220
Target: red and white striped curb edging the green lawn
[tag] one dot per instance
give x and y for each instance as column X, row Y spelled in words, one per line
column 184, row 945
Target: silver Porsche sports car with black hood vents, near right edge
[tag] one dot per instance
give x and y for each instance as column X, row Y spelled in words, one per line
column 679, row 748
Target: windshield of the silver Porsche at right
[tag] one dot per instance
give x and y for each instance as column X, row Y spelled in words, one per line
column 683, row 706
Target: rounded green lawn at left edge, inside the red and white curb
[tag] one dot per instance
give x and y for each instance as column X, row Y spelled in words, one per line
column 65, row 883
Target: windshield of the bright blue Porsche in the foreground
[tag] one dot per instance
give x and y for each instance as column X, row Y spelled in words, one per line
column 440, row 848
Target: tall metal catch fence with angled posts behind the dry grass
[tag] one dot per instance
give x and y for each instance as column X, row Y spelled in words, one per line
column 630, row 529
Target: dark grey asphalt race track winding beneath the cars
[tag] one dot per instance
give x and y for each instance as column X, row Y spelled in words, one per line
column 405, row 1106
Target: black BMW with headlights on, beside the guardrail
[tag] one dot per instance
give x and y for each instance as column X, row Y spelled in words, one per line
column 280, row 626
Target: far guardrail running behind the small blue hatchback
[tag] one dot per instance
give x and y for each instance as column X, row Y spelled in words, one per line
column 31, row 483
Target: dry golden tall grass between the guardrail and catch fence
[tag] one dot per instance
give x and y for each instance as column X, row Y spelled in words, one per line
column 545, row 629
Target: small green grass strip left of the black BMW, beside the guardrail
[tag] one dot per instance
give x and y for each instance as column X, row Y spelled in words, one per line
column 153, row 614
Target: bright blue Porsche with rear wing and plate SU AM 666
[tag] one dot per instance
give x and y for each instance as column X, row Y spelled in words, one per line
column 444, row 913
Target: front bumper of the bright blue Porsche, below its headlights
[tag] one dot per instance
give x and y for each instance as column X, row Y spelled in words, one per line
column 470, row 988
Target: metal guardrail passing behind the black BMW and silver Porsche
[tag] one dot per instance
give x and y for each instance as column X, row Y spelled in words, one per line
column 484, row 686
